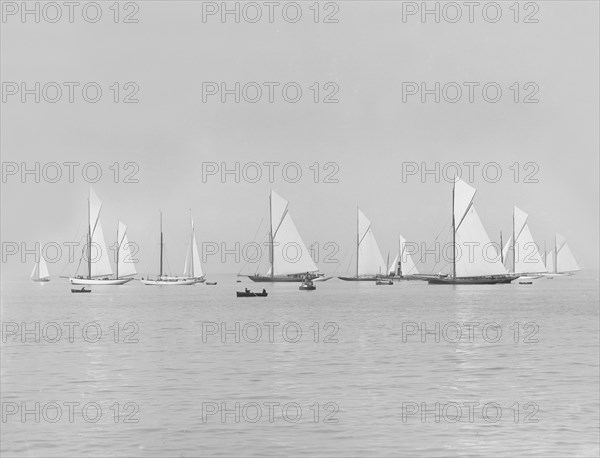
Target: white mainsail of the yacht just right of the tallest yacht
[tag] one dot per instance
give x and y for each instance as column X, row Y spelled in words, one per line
column 527, row 258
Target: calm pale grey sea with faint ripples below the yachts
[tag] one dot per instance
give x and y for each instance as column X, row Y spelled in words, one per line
column 354, row 388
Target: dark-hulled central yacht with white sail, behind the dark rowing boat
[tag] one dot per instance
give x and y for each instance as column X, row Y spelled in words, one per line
column 289, row 259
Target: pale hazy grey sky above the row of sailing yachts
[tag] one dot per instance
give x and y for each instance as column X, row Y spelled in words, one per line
column 369, row 133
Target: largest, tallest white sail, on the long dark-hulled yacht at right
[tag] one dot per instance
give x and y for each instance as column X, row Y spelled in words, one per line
column 475, row 255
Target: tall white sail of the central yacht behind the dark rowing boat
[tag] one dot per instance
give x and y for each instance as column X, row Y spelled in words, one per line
column 290, row 255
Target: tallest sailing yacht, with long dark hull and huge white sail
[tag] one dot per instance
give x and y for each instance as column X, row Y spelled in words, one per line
column 470, row 268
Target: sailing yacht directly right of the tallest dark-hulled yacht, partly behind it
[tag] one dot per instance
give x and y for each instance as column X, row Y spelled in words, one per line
column 520, row 254
